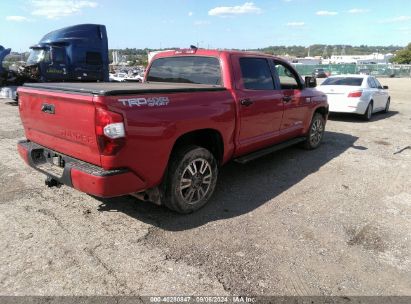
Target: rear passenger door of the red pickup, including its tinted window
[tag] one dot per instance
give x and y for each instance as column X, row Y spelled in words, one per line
column 260, row 105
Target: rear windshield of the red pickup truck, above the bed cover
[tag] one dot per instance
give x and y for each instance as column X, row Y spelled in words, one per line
column 187, row 69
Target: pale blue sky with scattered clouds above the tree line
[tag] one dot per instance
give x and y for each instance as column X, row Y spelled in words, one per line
column 243, row 24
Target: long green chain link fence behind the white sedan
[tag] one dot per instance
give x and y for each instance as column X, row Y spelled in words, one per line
column 380, row 70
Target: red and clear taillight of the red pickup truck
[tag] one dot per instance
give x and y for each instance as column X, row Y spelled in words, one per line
column 110, row 131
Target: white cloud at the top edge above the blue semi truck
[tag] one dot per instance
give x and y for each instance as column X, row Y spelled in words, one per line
column 54, row 9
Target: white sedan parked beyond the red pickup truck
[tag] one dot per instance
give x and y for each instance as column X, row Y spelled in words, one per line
column 359, row 94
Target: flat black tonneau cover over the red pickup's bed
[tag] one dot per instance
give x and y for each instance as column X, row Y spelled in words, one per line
column 117, row 88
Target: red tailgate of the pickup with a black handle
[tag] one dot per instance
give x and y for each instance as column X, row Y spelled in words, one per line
column 62, row 122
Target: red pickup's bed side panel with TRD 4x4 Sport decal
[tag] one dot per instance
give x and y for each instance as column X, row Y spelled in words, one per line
column 151, row 131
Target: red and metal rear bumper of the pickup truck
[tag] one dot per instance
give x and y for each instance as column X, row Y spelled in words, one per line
column 80, row 175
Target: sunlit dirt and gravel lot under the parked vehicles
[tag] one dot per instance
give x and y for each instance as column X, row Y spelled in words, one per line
column 334, row 221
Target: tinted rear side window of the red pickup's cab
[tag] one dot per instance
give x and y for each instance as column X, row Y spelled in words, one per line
column 256, row 74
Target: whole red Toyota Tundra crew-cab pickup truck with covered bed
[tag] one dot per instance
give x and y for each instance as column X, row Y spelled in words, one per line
column 164, row 140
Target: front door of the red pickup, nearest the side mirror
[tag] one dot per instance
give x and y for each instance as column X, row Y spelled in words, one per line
column 295, row 107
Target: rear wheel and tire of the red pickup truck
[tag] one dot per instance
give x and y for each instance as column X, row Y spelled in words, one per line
column 191, row 179
